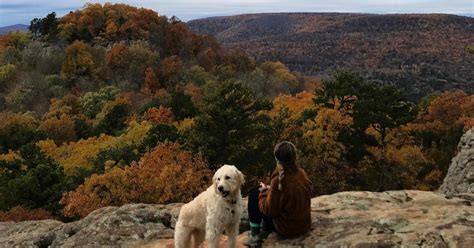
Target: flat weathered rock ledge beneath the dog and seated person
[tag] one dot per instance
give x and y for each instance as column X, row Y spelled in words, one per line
column 362, row 219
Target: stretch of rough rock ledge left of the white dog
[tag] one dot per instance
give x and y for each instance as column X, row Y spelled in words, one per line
column 127, row 226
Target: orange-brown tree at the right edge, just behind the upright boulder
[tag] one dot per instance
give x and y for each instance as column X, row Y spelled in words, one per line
column 438, row 128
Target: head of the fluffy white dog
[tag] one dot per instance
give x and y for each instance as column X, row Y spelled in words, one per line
column 227, row 180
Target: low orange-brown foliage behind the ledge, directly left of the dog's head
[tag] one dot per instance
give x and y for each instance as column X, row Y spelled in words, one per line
column 163, row 175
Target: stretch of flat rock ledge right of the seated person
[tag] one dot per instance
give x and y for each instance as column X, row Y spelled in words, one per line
column 389, row 219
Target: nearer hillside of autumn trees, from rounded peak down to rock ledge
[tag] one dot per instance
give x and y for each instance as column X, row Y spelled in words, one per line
column 113, row 104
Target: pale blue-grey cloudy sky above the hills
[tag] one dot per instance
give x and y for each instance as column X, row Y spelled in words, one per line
column 22, row 11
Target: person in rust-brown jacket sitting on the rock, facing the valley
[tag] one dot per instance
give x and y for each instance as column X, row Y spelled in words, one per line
column 285, row 204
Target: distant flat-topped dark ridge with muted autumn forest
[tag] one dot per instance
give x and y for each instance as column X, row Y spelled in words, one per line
column 421, row 53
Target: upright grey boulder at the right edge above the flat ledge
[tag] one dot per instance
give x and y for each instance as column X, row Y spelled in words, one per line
column 460, row 177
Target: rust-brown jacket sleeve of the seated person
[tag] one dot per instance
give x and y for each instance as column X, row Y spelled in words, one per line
column 269, row 201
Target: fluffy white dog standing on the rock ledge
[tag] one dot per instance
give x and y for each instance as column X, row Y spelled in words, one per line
column 217, row 209
